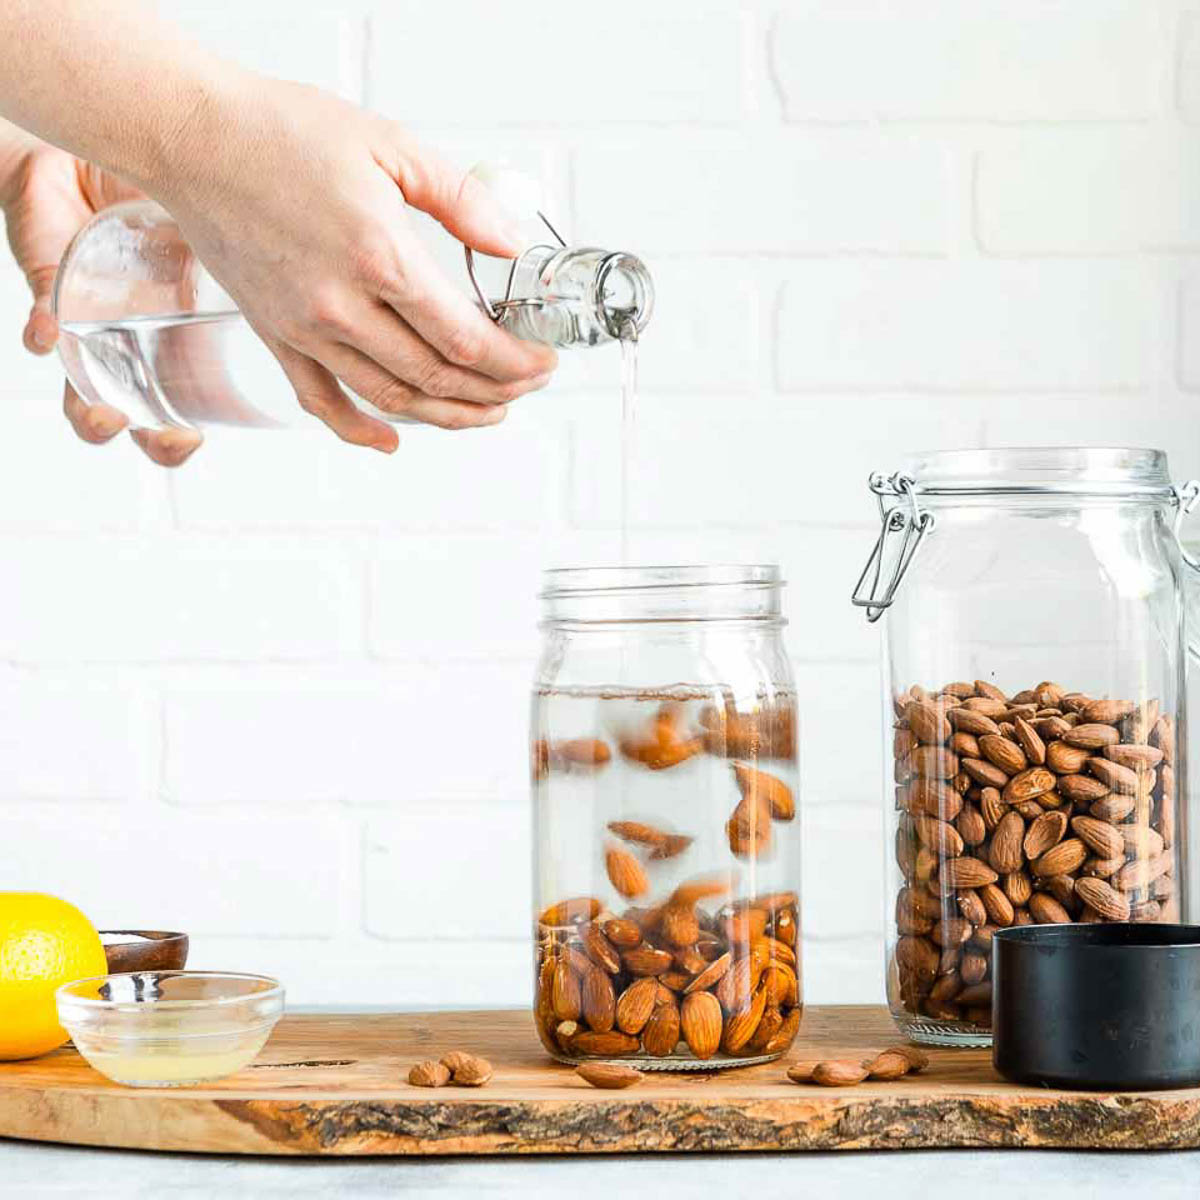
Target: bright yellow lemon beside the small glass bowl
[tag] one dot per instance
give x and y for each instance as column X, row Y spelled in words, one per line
column 44, row 943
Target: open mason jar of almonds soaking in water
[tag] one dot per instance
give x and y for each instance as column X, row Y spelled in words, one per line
column 668, row 848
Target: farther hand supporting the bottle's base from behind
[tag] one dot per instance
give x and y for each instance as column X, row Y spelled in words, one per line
column 47, row 197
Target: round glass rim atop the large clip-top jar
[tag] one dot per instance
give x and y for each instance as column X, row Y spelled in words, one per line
column 1130, row 472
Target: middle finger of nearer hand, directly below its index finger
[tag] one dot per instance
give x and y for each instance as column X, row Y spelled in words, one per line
column 383, row 337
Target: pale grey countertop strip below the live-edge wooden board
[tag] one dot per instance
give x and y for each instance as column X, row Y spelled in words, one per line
column 29, row 1169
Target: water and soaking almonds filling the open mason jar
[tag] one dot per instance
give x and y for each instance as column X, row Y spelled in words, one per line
column 664, row 955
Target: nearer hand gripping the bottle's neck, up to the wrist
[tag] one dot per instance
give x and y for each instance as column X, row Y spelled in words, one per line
column 296, row 202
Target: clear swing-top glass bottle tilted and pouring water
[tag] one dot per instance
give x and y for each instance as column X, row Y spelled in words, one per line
column 148, row 331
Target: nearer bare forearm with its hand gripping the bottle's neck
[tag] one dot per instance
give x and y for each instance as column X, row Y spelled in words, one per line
column 295, row 201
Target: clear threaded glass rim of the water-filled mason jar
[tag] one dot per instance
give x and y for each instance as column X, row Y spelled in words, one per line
column 703, row 593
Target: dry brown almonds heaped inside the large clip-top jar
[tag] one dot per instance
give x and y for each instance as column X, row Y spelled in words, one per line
column 1043, row 807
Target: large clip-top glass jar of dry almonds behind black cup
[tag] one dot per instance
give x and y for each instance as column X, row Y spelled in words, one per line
column 1035, row 667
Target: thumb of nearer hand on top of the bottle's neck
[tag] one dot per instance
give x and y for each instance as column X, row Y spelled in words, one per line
column 460, row 202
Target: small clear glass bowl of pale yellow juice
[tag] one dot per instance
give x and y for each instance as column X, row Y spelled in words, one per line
column 170, row 1029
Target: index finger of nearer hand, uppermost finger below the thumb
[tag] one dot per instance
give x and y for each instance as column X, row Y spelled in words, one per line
column 455, row 328
